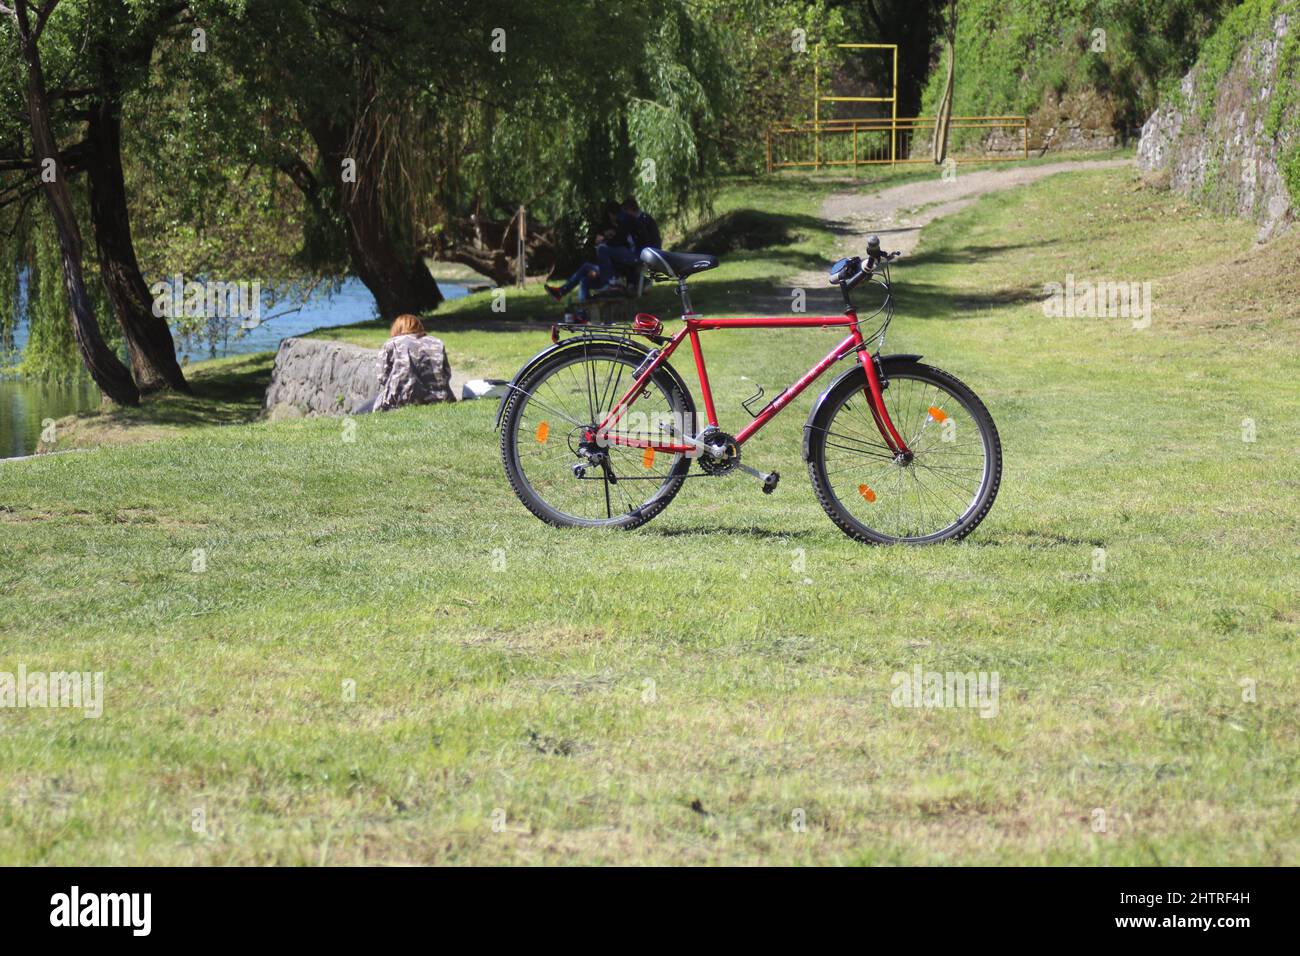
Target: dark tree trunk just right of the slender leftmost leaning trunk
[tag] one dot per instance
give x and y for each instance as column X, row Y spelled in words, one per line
column 148, row 336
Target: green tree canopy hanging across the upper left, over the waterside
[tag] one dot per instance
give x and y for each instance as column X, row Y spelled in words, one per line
column 590, row 101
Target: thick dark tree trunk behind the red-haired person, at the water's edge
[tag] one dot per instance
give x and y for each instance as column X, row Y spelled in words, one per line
column 400, row 285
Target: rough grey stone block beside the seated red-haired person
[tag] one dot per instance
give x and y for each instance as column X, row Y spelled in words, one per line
column 319, row 378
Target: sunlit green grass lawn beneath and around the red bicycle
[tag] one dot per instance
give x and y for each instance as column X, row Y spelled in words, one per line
column 389, row 660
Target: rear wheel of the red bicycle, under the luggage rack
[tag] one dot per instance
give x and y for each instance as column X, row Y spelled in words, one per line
column 543, row 439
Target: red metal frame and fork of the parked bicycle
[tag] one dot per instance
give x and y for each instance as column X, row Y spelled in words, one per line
column 695, row 325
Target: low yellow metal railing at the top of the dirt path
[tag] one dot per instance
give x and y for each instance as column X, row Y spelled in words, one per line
column 883, row 141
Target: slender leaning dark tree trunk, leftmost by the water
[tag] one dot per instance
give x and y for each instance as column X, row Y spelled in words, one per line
column 111, row 375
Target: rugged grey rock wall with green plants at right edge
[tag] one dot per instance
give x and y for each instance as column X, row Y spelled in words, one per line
column 1217, row 142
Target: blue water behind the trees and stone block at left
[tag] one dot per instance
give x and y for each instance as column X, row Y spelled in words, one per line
column 27, row 405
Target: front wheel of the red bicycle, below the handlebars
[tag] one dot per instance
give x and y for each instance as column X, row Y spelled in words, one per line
column 941, row 492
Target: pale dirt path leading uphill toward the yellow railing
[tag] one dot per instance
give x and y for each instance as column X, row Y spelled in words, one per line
column 899, row 214
